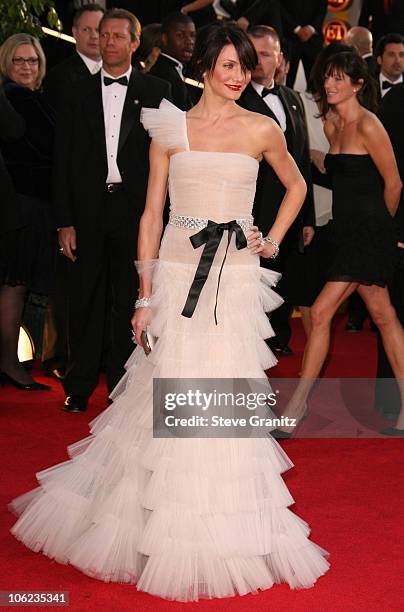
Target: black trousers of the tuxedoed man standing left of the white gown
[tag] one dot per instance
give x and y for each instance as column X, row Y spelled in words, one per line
column 102, row 289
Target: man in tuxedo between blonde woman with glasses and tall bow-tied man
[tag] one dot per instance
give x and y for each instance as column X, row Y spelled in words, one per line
column 85, row 61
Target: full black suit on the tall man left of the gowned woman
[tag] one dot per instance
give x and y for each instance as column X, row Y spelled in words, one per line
column 106, row 223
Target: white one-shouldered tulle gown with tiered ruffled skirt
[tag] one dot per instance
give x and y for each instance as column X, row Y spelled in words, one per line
column 182, row 518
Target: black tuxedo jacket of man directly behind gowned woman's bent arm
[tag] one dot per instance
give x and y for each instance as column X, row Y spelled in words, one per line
column 270, row 191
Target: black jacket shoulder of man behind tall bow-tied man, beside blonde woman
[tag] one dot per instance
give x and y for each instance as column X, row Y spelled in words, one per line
column 63, row 77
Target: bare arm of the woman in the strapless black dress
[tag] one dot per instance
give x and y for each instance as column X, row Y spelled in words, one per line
column 378, row 145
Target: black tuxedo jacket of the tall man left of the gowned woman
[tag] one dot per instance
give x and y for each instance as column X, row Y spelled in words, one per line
column 81, row 167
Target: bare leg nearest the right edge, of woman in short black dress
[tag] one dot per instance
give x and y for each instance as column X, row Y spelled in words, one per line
column 378, row 303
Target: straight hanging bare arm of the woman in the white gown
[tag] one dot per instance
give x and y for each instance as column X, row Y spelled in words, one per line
column 151, row 222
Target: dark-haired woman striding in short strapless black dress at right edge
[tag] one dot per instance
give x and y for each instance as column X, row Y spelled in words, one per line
column 366, row 191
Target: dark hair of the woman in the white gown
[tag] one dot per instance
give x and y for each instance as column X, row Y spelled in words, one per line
column 211, row 39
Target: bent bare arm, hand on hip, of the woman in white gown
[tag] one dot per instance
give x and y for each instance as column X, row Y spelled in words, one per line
column 277, row 156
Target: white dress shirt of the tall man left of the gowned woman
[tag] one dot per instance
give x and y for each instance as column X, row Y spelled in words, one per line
column 113, row 100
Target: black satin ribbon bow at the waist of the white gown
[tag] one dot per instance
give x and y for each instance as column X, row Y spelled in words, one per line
column 210, row 236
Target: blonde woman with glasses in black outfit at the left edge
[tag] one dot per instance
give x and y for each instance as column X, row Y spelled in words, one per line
column 27, row 239
